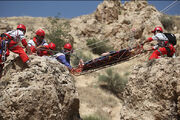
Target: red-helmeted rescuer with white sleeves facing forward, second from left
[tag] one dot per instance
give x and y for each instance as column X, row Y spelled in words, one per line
column 38, row 44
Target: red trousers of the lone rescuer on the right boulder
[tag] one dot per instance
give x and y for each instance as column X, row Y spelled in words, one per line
column 162, row 51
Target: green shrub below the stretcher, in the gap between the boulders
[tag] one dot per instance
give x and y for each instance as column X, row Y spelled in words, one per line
column 114, row 81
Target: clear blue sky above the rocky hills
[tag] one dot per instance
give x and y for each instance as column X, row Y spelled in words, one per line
column 67, row 9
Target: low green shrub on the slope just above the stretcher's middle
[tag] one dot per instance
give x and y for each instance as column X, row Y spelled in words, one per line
column 98, row 48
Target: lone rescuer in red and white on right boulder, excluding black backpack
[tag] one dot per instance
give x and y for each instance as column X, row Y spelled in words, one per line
column 163, row 47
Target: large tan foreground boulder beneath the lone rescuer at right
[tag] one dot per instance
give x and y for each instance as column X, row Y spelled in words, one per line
column 153, row 91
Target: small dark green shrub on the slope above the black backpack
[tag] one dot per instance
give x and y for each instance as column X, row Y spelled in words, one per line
column 167, row 22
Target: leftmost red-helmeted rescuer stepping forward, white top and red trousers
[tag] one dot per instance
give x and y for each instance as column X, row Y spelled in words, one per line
column 16, row 36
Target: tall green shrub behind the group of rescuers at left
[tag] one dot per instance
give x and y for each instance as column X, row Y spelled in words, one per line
column 57, row 33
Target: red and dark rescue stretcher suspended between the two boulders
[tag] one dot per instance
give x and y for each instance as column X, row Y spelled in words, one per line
column 112, row 58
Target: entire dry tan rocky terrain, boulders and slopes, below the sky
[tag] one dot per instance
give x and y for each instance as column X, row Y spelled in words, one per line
column 118, row 26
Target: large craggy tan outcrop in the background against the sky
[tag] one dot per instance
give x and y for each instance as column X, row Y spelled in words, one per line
column 115, row 21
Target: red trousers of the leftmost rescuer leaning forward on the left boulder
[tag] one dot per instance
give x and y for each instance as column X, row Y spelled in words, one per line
column 19, row 50
